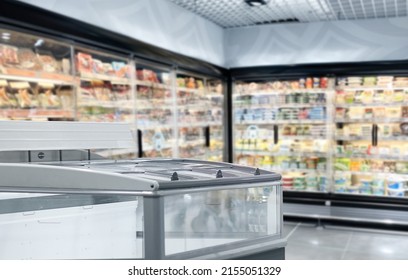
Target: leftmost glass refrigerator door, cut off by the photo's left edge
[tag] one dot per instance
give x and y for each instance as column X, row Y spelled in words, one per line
column 36, row 80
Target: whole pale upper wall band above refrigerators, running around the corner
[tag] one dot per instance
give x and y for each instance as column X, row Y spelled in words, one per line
column 161, row 23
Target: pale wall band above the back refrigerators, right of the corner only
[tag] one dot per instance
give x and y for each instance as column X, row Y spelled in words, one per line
column 341, row 41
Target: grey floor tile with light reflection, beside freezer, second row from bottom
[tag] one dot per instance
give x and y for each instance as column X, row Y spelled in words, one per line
column 319, row 237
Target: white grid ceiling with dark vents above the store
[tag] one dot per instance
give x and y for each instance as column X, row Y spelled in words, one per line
column 240, row 13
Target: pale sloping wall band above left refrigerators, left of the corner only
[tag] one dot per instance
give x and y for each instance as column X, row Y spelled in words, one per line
column 158, row 22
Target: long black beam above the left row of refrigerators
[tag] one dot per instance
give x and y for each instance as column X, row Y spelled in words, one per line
column 29, row 17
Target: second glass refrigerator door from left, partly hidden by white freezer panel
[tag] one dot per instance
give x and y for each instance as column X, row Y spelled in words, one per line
column 104, row 92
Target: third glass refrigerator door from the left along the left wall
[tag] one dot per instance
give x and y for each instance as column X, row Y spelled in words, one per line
column 155, row 111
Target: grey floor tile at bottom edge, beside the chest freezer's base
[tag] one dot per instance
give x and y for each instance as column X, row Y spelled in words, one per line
column 310, row 252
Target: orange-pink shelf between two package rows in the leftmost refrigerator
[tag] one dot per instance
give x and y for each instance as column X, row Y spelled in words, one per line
column 34, row 76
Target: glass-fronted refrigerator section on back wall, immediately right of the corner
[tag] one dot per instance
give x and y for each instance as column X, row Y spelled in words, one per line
column 283, row 126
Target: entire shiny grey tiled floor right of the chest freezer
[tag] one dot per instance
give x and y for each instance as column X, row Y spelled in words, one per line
column 308, row 242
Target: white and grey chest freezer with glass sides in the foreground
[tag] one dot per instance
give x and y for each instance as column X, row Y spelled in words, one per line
column 139, row 209
